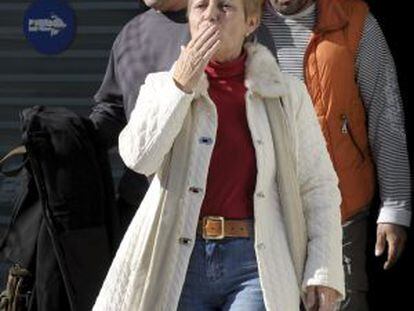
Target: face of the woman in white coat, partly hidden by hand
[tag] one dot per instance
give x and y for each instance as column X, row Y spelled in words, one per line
column 229, row 17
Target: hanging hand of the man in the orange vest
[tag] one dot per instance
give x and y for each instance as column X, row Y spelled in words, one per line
column 395, row 236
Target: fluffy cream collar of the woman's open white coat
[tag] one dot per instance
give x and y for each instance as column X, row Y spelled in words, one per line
column 263, row 75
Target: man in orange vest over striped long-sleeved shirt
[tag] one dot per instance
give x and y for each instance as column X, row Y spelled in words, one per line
column 337, row 48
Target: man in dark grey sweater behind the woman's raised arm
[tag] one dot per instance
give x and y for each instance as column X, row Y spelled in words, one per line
column 150, row 42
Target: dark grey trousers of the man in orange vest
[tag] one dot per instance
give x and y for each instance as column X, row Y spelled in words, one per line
column 354, row 260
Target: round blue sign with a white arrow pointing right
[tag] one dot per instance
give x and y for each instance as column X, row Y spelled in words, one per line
column 49, row 25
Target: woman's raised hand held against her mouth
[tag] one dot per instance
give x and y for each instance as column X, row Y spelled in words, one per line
column 195, row 57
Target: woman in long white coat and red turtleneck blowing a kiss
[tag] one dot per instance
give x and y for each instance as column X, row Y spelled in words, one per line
column 243, row 210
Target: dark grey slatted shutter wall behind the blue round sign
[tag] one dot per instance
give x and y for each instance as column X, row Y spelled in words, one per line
column 70, row 79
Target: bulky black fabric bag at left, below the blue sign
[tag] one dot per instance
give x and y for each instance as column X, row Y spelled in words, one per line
column 65, row 228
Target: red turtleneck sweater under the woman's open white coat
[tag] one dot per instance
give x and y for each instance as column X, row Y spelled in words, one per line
column 232, row 173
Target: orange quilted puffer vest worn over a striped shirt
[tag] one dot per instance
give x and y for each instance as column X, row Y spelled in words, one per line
column 331, row 80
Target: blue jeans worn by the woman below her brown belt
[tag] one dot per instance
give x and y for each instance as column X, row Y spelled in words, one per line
column 222, row 275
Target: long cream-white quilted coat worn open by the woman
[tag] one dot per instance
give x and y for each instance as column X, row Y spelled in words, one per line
column 166, row 135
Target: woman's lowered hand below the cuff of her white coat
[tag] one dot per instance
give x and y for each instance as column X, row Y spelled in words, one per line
column 321, row 298
